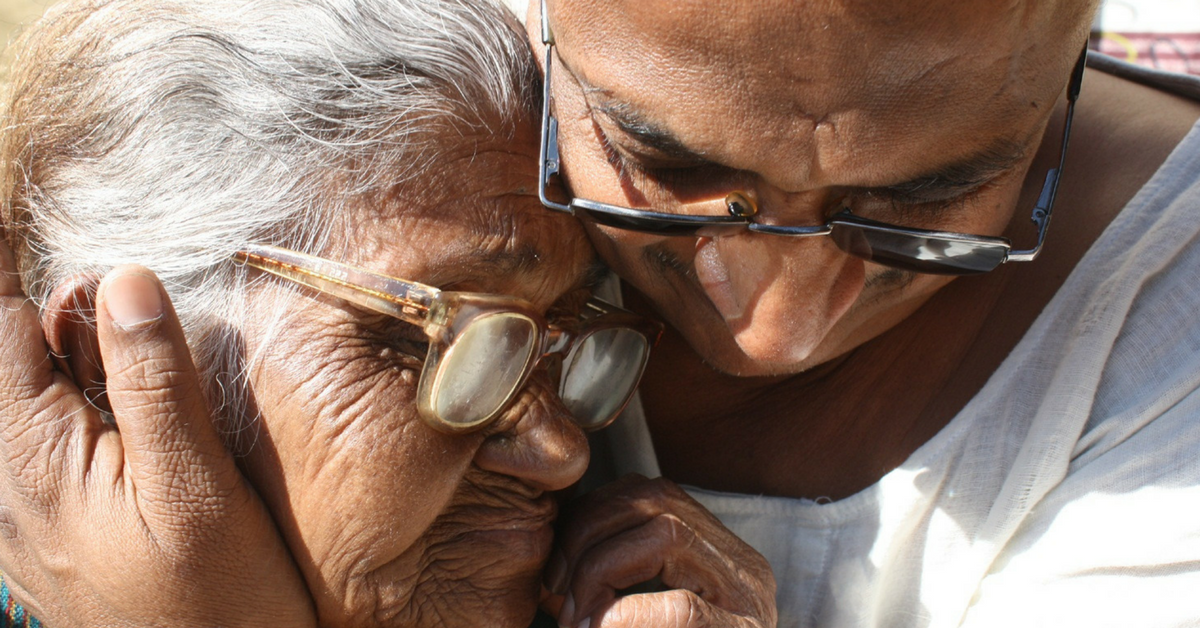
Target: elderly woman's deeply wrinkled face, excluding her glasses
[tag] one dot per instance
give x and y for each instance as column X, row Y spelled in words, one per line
column 393, row 523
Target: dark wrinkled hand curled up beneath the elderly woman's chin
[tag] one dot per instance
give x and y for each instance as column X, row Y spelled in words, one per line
column 637, row 531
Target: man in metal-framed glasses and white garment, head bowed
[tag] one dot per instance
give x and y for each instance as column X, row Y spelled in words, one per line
column 794, row 187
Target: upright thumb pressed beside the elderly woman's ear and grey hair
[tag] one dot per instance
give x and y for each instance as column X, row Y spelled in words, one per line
column 175, row 452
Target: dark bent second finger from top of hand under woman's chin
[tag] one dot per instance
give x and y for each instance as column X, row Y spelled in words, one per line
column 664, row 548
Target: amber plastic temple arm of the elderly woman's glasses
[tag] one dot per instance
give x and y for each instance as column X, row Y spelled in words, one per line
column 406, row 301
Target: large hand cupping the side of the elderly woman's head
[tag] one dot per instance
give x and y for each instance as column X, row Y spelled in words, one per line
column 145, row 523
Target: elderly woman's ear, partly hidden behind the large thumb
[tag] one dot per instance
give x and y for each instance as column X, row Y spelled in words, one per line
column 69, row 321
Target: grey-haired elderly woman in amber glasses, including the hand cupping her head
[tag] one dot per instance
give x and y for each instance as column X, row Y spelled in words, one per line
column 340, row 200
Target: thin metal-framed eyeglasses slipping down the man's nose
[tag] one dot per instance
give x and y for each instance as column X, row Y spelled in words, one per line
column 904, row 248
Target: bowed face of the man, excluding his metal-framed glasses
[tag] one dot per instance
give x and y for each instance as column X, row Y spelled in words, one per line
column 916, row 113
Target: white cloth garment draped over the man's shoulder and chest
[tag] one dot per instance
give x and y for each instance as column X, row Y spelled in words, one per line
column 1067, row 493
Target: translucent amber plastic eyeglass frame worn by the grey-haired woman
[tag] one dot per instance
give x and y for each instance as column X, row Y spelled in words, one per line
column 447, row 316
